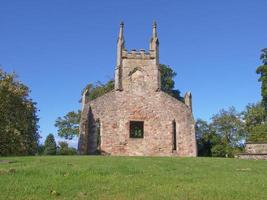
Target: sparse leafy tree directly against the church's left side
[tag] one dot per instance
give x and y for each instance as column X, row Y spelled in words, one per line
column 68, row 126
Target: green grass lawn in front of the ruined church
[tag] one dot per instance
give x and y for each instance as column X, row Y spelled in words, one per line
column 96, row 177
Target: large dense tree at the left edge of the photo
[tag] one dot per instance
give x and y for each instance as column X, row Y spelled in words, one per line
column 18, row 118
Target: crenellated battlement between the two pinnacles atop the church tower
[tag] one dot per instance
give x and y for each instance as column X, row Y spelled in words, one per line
column 142, row 54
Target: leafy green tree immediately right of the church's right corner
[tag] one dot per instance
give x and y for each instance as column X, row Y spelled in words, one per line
column 223, row 136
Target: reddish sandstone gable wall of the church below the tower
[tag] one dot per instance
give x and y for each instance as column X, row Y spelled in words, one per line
column 156, row 109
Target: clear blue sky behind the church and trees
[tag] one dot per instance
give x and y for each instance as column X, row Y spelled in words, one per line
column 58, row 46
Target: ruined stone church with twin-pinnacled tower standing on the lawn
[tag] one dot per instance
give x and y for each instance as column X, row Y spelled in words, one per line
column 137, row 118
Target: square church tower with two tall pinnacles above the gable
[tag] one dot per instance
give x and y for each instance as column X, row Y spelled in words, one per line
column 137, row 71
